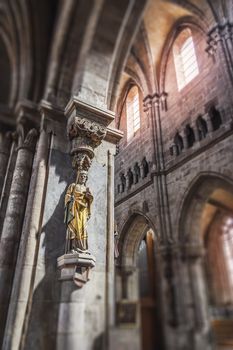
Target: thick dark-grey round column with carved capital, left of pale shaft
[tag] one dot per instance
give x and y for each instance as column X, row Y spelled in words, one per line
column 14, row 216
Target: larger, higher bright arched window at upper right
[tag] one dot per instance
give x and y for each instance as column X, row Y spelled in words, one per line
column 185, row 58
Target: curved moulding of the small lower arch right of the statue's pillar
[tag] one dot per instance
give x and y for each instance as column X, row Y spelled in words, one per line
column 131, row 234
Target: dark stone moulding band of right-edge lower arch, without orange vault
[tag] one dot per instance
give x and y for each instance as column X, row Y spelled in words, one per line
column 194, row 200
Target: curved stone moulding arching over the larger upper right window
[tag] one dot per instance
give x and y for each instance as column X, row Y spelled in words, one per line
column 185, row 22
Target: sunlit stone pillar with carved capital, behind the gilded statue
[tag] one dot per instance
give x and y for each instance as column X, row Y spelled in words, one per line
column 86, row 288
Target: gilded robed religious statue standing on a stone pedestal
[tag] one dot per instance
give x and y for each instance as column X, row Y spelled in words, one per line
column 78, row 201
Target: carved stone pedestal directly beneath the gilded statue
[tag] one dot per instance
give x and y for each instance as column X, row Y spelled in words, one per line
column 76, row 267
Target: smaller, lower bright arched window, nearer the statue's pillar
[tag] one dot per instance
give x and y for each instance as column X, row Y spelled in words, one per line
column 132, row 112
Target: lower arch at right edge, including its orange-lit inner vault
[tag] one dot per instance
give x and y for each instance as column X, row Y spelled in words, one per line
column 206, row 190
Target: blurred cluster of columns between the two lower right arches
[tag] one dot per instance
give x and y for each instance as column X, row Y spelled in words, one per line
column 183, row 296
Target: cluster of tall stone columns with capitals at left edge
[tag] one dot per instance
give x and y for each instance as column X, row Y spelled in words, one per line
column 23, row 175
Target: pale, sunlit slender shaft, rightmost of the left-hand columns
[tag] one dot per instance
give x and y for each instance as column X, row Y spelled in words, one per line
column 28, row 248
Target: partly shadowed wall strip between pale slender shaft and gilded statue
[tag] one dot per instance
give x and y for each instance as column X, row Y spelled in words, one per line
column 43, row 319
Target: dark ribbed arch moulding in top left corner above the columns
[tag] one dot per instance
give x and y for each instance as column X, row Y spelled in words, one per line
column 15, row 28
